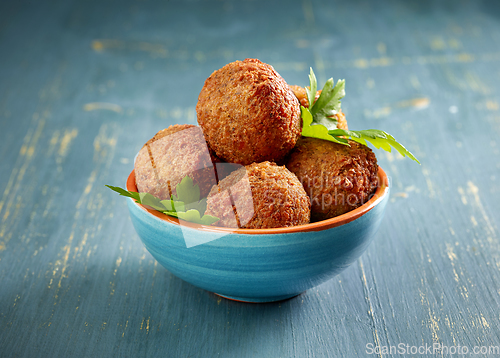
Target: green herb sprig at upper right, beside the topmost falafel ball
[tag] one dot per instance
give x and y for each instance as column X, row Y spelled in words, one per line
column 319, row 120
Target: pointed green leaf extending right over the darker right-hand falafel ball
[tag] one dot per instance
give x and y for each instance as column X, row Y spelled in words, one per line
column 378, row 138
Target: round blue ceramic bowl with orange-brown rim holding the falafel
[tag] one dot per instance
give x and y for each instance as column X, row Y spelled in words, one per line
column 259, row 265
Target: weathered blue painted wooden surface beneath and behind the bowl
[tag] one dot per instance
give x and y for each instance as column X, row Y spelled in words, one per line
column 83, row 84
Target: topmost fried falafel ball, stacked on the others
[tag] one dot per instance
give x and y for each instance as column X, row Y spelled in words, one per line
column 248, row 113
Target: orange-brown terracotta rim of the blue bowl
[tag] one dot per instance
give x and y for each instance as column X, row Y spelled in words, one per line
column 380, row 193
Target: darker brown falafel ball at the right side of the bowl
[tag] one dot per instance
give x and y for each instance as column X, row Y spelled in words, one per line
column 336, row 177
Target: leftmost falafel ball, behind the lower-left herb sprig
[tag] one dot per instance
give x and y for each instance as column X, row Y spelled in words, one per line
column 169, row 156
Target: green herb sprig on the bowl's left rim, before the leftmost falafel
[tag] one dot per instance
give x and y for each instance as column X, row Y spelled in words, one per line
column 186, row 205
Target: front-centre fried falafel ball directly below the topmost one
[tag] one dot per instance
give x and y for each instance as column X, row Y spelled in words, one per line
column 260, row 195
